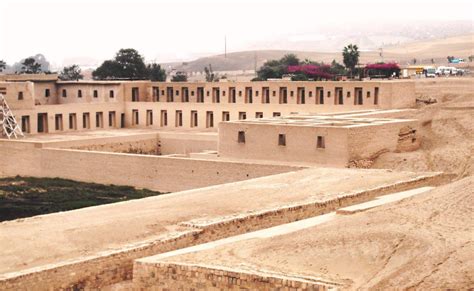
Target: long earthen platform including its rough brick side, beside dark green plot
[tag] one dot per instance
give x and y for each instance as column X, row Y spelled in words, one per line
column 96, row 246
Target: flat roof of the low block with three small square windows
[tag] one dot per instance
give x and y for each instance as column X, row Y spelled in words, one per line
column 321, row 121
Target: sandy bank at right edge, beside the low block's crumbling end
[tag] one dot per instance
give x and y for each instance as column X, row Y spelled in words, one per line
column 446, row 130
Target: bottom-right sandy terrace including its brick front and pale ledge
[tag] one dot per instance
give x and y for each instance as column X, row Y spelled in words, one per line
column 414, row 239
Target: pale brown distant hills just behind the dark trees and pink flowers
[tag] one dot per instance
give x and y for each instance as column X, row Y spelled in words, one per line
column 423, row 51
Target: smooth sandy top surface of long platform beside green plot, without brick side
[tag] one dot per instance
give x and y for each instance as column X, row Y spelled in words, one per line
column 39, row 240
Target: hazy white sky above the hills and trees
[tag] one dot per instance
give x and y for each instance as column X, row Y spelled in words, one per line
column 167, row 30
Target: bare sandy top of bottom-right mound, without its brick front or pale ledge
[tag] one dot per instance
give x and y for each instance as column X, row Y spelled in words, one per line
column 423, row 242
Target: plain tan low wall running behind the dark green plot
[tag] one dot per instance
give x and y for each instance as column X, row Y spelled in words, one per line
column 167, row 174
